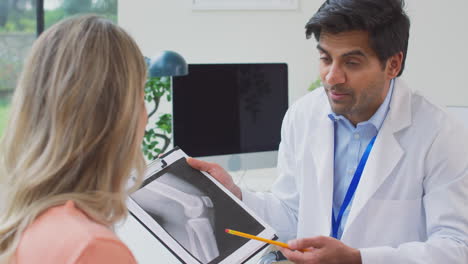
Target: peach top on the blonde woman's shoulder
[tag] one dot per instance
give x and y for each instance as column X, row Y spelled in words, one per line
column 65, row 235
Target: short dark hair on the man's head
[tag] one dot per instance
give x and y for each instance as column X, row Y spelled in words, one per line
column 385, row 20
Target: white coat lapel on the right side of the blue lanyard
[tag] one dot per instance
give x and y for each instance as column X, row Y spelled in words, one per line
column 386, row 152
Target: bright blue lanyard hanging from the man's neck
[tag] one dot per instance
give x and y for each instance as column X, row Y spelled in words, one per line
column 351, row 189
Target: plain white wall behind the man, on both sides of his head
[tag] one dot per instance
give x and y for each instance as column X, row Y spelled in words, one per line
column 437, row 57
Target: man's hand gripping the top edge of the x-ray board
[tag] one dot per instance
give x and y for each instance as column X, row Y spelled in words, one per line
column 218, row 173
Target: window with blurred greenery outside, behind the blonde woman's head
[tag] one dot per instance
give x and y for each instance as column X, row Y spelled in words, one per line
column 21, row 21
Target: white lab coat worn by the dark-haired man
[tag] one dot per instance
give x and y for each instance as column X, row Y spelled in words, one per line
column 411, row 205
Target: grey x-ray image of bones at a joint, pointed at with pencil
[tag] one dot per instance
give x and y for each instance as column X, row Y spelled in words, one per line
column 195, row 212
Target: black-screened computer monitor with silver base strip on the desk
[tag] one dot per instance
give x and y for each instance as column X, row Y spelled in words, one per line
column 231, row 114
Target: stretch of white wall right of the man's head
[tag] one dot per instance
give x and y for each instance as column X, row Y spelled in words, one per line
column 438, row 55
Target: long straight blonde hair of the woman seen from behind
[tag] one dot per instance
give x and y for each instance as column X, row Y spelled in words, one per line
column 72, row 133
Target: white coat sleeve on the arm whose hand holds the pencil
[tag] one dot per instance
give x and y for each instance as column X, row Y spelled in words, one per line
column 445, row 203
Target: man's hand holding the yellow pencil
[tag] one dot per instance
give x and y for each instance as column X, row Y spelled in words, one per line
column 321, row 250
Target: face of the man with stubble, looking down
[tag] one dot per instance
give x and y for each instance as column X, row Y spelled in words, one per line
column 353, row 77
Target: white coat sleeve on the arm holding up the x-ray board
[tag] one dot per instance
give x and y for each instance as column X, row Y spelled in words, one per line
column 279, row 208
